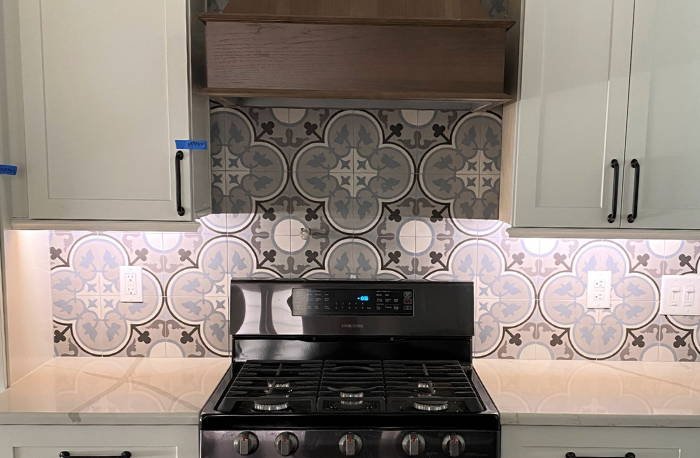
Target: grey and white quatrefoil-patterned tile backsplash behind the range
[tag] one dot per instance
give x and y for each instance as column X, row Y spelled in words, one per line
column 384, row 195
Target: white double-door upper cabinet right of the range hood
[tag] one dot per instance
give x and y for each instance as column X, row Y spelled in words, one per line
column 604, row 81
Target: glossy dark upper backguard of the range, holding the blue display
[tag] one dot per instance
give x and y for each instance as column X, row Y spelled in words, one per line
column 367, row 308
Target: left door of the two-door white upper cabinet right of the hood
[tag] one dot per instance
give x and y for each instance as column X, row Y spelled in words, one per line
column 572, row 111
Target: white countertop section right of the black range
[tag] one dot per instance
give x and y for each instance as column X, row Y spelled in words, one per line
column 588, row 393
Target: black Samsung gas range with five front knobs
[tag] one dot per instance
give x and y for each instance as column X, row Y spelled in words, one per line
column 369, row 369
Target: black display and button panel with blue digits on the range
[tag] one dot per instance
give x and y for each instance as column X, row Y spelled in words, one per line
column 352, row 302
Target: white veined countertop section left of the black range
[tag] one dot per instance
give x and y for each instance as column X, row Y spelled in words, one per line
column 128, row 391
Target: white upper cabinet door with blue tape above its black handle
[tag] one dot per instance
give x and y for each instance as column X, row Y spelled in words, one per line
column 106, row 94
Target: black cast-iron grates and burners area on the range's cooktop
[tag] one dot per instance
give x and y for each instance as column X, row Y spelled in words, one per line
column 347, row 386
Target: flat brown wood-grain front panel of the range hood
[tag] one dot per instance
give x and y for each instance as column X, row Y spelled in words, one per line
column 435, row 62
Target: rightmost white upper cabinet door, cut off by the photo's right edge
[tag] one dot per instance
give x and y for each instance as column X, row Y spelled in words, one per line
column 664, row 115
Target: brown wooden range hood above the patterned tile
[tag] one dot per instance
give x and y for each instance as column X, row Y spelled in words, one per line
column 356, row 54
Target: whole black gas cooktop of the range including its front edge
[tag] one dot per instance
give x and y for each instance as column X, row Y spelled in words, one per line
column 349, row 393
